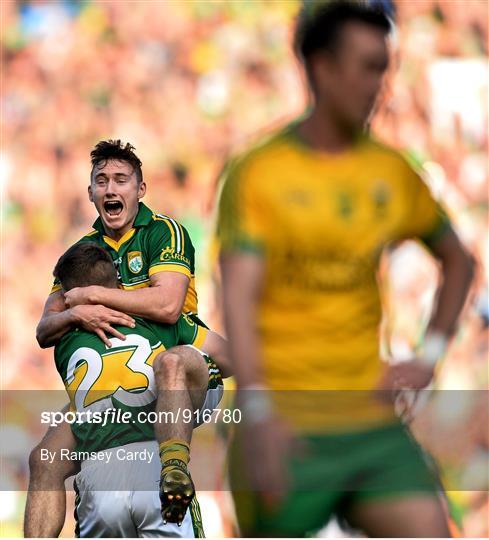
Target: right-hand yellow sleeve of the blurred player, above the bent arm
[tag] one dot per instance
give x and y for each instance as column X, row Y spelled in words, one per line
column 426, row 219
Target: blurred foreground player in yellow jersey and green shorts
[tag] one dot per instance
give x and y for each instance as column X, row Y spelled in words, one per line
column 303, row 219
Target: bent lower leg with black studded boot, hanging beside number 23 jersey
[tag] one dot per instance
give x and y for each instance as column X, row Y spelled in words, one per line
column 181, row 377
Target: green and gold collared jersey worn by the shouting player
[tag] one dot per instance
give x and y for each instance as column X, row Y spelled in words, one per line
column 156, row 243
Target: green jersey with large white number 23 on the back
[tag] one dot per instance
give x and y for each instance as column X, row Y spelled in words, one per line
column 103, row 383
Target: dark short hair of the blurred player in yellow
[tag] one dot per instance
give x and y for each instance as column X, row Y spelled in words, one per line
column 319, row 24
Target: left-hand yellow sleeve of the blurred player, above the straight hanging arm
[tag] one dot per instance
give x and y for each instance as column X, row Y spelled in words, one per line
column 241, row 220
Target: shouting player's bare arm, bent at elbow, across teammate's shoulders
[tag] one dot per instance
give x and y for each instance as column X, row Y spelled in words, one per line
column 161, row 302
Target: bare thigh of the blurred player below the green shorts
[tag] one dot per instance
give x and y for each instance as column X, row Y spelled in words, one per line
column 415, row 516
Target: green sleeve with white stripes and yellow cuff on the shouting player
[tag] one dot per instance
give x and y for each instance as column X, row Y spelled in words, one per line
column 170, row 248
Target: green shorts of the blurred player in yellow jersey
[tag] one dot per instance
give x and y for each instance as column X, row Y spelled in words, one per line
column 336, row 472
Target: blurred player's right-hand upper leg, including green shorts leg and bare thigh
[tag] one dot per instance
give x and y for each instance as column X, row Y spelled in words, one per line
column 397, row 493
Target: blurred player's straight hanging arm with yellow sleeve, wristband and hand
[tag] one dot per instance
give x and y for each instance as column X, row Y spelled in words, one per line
column 243, row 233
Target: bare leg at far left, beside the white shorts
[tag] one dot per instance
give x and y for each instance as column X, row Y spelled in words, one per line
column 46, row 498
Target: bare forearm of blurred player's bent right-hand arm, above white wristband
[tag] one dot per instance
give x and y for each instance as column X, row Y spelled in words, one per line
column 457, row 275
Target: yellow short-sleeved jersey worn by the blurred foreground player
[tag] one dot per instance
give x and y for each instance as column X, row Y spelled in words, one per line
column 320, row 222
